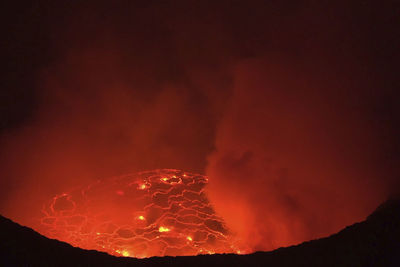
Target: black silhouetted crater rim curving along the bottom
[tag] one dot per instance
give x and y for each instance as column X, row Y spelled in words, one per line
column 373, row 242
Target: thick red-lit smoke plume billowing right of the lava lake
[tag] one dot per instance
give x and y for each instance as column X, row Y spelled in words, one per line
column 294, row 160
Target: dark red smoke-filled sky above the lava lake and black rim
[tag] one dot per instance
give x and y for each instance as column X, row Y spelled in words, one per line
column 283, row 105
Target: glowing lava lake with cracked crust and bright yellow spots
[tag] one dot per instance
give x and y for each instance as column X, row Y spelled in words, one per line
column 154, row 213
